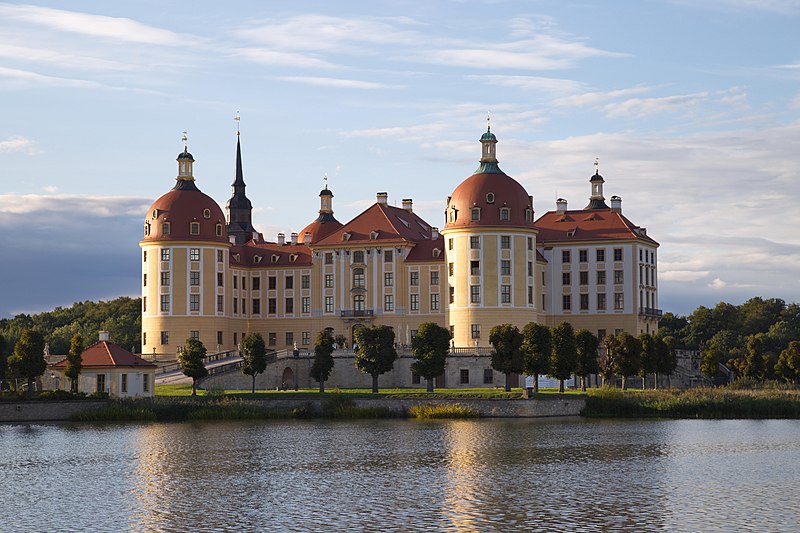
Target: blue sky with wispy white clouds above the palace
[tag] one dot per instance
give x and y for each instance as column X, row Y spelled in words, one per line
column 692, row 108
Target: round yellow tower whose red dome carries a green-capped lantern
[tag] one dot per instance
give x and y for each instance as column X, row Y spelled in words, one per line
column 490, row 250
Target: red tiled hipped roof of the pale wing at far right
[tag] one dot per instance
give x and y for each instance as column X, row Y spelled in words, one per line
column 588, row 225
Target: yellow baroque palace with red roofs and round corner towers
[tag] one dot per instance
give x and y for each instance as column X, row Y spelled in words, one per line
column 211, row 275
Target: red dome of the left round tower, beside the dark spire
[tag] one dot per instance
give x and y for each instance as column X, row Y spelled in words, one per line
column 181, row 207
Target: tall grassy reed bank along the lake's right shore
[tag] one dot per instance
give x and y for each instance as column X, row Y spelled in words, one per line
column 719, row 403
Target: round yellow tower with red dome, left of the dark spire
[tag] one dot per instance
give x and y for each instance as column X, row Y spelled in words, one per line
column 184, row 268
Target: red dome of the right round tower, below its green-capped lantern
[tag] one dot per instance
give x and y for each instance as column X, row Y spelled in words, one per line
column 492, row 193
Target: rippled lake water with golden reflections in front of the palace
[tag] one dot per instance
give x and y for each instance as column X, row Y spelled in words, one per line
column 403, row 475
